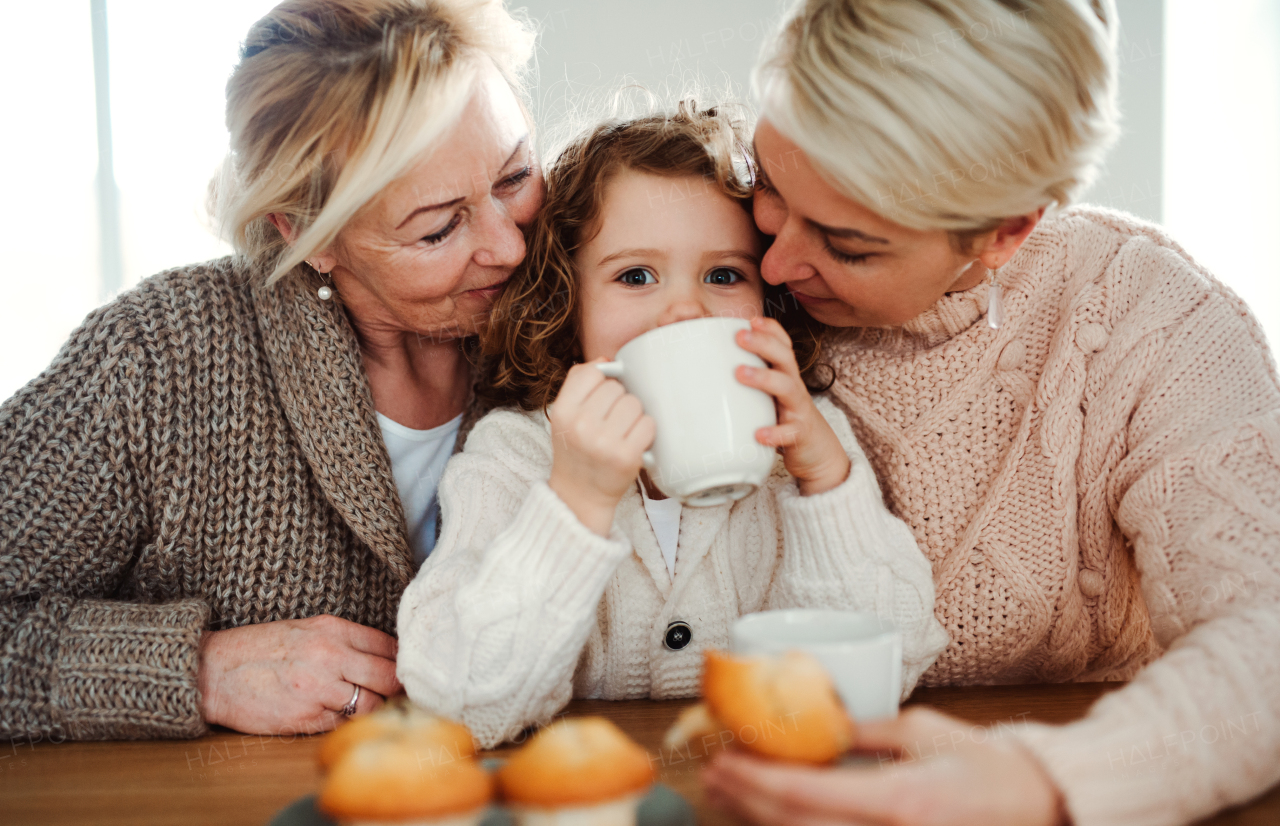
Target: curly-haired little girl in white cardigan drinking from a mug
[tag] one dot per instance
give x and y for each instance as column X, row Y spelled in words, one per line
column 560, row 569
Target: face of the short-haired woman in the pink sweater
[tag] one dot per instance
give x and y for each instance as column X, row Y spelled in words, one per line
column 845, row 264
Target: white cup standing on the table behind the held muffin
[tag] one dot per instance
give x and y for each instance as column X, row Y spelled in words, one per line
column 862, row 654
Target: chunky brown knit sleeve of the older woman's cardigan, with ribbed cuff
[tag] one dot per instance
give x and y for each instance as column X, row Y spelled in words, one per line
column 75, row 664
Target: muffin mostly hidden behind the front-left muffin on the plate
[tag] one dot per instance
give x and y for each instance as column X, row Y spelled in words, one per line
column 445, row 741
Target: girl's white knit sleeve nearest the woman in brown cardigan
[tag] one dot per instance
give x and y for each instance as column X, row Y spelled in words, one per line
column 492, row 628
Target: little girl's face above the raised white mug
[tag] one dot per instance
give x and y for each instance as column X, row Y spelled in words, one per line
column 669, row 249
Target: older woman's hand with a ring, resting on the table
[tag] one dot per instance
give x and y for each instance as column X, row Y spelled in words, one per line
column 294, row 676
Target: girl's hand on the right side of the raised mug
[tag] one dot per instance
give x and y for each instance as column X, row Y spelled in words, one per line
column 810, row 448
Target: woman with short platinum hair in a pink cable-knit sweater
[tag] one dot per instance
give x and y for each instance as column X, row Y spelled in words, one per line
column 1080, row 423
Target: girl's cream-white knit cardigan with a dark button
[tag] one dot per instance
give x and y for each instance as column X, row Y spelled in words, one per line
column 522, row 608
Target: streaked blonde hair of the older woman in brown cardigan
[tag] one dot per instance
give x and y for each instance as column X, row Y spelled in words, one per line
column 332, row 101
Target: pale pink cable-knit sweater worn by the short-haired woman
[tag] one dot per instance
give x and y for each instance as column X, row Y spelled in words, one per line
column 1098, row 489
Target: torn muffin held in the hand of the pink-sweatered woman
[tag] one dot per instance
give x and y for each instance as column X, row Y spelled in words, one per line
column 781, row 708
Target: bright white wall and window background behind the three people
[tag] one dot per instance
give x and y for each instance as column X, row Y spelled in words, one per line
column 1200, row 92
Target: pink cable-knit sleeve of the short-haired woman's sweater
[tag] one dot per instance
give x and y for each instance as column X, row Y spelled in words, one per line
column 1197, row 414
